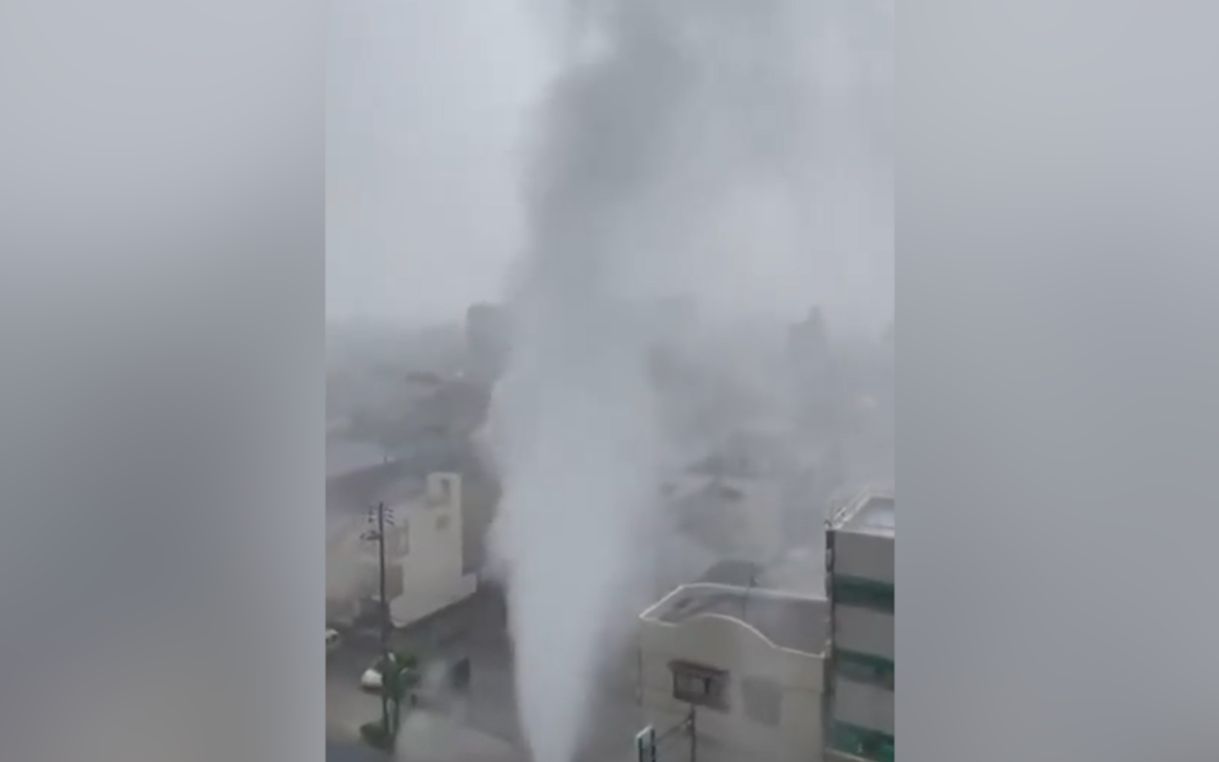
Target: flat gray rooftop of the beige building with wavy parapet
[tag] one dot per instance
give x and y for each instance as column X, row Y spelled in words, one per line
column 789, row 621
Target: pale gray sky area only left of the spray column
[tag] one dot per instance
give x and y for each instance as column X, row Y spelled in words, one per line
column 427, row 104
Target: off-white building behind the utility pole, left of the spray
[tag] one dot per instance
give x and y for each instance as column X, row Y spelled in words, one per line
column 426, row 570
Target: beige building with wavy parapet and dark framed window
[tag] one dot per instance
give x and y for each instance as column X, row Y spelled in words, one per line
column 744, row 663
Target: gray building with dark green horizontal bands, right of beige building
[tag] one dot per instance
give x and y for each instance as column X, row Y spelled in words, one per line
column 860, row 575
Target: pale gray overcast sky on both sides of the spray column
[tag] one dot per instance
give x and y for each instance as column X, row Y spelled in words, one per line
column 436, row 107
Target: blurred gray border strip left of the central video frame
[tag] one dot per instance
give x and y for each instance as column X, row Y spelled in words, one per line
column 162, row 407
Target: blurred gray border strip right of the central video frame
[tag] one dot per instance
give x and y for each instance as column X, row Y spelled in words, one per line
column 1059, row 364
